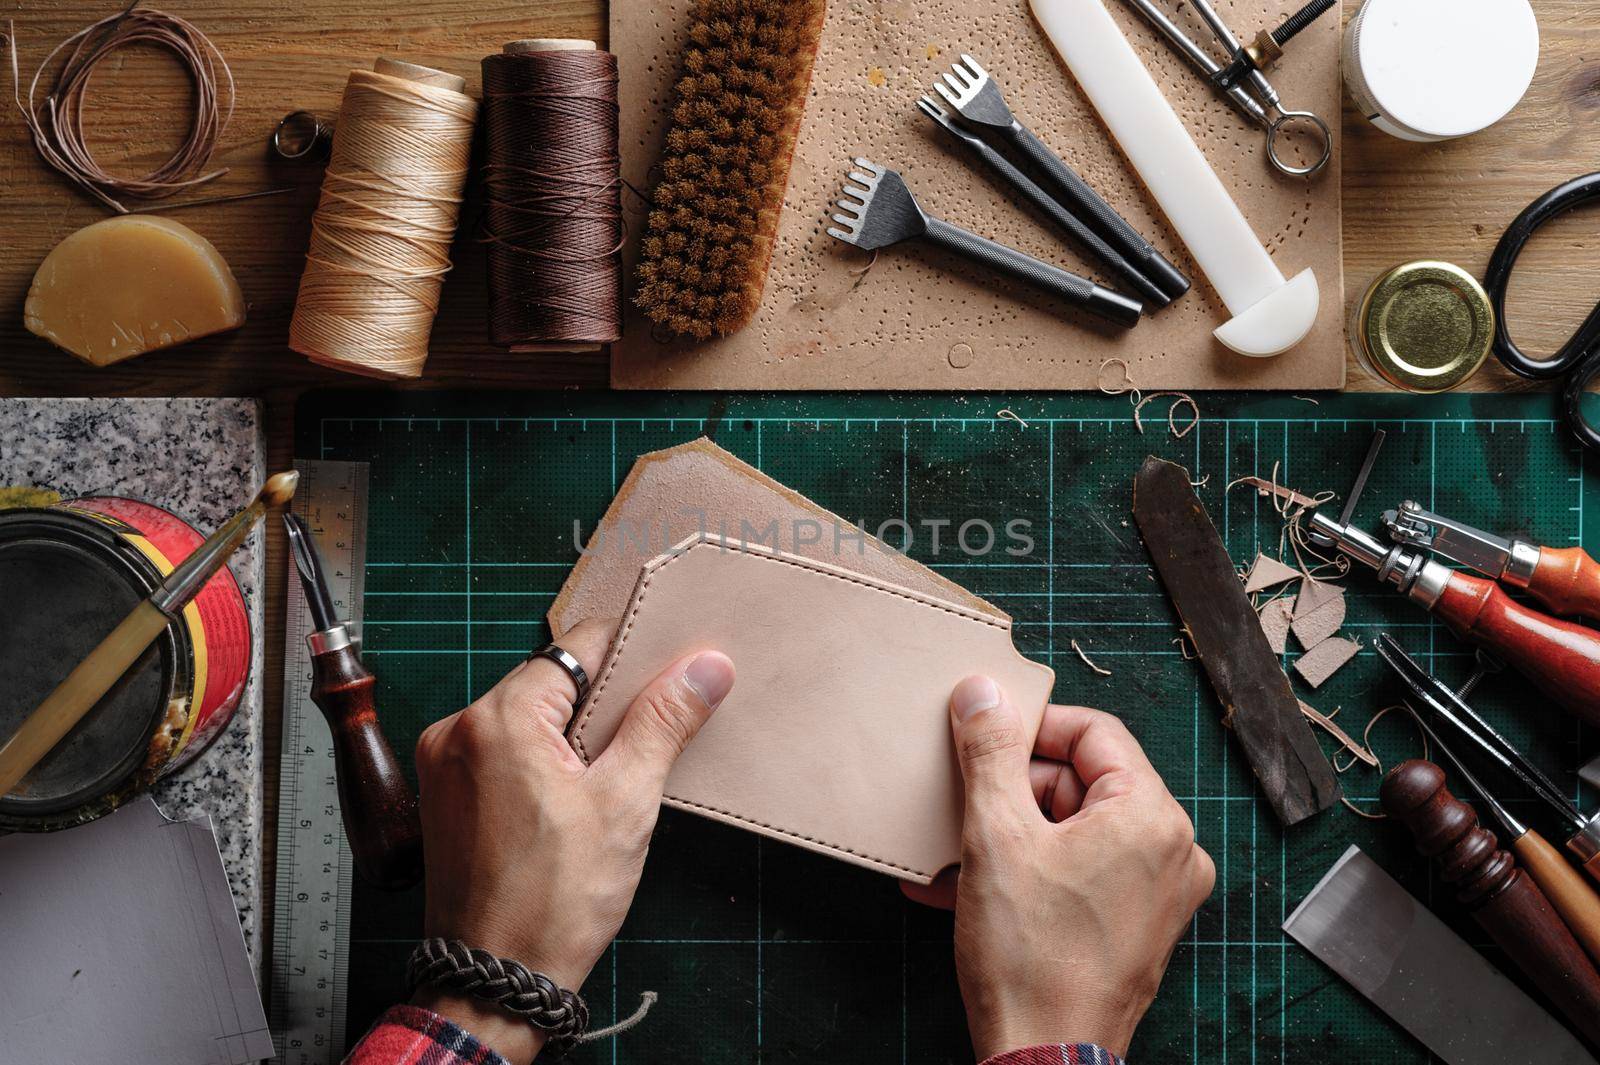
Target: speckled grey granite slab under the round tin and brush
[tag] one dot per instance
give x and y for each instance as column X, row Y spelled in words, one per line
column 199, row 458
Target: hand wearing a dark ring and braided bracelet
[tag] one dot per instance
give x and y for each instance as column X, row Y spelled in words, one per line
column 530, row 853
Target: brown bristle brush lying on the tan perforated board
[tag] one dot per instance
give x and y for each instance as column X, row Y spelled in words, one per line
column 726, row 164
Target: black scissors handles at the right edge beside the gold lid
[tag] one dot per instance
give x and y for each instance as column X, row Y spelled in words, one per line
column 1580, row 357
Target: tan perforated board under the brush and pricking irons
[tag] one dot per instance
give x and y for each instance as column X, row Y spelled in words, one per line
column 921, row 319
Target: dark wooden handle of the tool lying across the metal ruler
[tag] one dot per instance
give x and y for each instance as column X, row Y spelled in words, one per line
column 375, row 799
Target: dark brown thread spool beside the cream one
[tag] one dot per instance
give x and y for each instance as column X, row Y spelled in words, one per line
column 553, row 180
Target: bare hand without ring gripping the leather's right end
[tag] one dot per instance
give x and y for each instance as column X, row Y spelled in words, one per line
column 1079, row 876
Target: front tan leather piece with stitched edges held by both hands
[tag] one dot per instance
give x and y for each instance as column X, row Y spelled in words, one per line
column 836, row 736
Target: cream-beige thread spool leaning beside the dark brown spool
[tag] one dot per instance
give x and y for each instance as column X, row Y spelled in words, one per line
column 380, row 245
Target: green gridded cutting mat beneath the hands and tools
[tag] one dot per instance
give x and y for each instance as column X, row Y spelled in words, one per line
column 769, row 954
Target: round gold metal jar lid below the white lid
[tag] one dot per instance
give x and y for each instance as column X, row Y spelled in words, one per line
column 1425, row 327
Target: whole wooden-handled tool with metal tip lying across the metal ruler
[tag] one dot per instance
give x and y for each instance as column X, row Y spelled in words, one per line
column 375, row 800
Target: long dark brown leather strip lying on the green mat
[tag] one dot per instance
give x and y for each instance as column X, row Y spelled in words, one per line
column 1254, row 690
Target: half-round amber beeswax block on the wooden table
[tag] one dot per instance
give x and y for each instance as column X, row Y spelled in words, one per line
column 130, row 285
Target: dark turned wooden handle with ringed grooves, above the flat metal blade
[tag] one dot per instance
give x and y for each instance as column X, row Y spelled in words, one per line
column 1510, row 906
